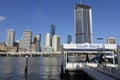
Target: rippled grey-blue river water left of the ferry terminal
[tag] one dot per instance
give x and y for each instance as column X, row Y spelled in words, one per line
column 46, row 68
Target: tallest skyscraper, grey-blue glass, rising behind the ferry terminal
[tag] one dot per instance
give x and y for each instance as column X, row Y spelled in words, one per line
column 83, row 23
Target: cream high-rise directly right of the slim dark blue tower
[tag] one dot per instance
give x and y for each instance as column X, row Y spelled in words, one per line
column 56, row 43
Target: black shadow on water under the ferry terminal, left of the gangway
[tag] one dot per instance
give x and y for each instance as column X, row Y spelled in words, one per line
column 77, row 74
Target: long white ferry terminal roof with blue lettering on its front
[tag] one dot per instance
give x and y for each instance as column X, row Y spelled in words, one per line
column 89, row 47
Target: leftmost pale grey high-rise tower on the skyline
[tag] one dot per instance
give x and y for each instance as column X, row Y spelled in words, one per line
column 10, row 38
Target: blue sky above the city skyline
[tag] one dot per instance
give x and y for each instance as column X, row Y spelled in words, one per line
column 38, row 15
